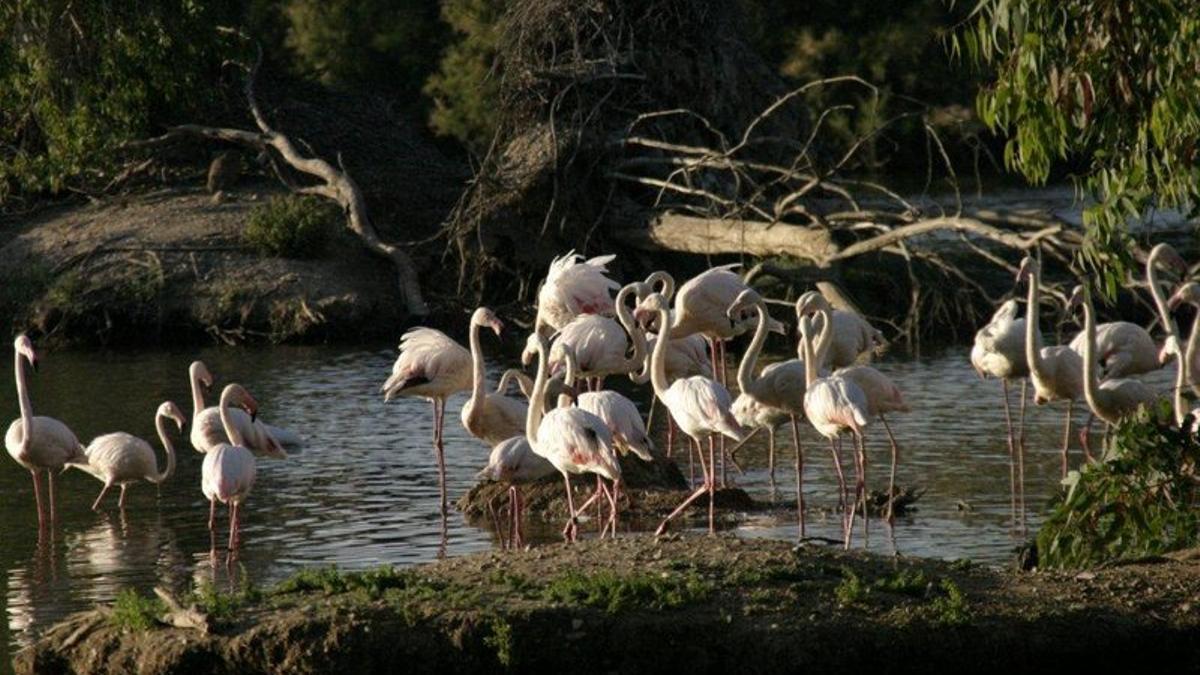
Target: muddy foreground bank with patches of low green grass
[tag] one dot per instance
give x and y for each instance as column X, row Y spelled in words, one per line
column 639, row 605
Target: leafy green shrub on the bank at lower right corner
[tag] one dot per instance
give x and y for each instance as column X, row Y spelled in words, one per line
column 1139, row 501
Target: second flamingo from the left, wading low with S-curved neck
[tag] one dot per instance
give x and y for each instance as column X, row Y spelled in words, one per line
column 123, row 459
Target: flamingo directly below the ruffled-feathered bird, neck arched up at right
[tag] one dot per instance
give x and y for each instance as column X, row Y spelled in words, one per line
column 599, row 343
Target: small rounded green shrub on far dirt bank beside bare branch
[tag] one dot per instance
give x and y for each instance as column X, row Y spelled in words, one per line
column 291, row 226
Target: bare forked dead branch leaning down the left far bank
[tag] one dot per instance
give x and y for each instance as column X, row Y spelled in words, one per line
column 335, row 183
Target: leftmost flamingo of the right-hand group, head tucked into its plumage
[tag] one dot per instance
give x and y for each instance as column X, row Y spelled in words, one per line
column 999, row 353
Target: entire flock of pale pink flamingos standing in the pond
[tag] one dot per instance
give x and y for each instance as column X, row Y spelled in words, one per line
column 584, row 333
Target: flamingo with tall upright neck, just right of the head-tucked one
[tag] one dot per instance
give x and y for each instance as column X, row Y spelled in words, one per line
column 1058, row 372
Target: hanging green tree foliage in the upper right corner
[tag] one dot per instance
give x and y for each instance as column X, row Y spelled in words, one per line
column 1109, row 82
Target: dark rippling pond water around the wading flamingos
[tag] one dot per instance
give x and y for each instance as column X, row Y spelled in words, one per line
column 363, row 492
